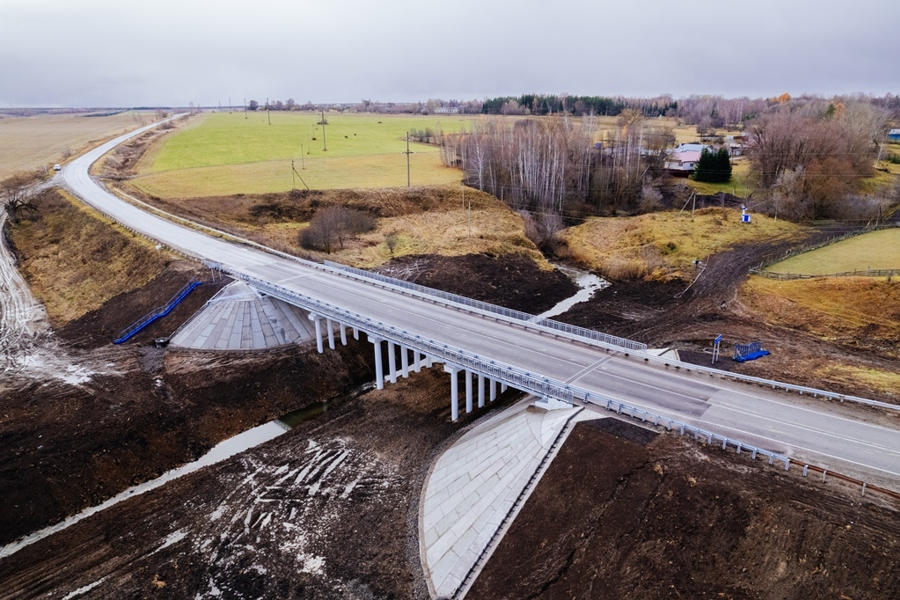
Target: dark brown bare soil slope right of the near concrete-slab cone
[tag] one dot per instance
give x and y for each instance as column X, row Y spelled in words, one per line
column 667, row 519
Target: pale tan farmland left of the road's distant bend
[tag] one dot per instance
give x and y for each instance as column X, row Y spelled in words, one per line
column 30, row 143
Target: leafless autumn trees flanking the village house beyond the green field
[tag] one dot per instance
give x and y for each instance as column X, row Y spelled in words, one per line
column 807, row 156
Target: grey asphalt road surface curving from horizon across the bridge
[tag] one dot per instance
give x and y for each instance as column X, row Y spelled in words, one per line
column 837, row 437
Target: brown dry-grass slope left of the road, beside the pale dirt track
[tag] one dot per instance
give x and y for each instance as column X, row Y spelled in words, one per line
column 75, row 260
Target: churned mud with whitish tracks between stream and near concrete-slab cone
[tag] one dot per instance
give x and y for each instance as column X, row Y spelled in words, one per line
column 328, row 510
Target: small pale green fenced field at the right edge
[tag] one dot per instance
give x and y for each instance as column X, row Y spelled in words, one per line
column 875, row 250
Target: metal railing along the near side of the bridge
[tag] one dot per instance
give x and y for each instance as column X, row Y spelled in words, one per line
column 518, row 378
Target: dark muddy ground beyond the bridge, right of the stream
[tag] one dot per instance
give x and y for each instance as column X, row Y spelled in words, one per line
column 688, row 316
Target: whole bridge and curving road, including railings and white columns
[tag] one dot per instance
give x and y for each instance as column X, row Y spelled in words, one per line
column 493, row 348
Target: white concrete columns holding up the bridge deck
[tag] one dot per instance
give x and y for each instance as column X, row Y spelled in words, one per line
column 411, row 360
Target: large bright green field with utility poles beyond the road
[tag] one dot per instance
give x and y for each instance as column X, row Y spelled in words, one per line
column 227, row 154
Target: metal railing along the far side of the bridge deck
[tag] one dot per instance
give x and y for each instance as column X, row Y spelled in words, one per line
column 509, row 313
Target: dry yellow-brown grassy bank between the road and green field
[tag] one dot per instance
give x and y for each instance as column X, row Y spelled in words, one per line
column 426, row 220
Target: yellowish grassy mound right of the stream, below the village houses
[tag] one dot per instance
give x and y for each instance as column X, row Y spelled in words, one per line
column 664, row 245
